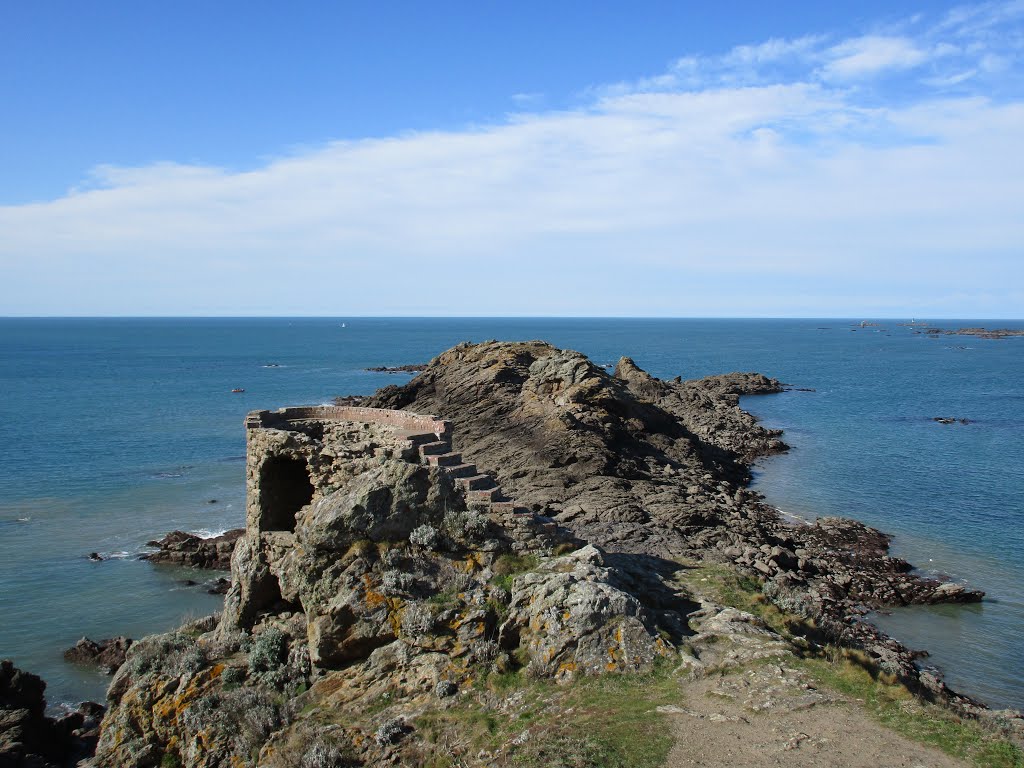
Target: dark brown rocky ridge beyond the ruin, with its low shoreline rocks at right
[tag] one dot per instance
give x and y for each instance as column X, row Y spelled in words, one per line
column 637, row 464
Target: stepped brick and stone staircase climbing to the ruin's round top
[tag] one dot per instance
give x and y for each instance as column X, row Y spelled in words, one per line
column 483, row 493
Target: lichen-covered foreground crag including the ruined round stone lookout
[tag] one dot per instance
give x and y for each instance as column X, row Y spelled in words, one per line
column 376, row 565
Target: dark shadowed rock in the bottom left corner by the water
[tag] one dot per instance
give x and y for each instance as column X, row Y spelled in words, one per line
column 31, row 740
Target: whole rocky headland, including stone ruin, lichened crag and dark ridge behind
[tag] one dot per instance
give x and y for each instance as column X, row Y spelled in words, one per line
column 547, row 527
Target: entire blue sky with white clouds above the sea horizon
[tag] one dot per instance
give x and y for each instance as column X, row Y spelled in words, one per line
column 580, row 158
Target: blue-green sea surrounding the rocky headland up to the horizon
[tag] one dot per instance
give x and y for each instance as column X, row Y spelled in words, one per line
column 117, row 432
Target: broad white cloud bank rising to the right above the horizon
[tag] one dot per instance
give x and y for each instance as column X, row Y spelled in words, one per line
column 781, row 178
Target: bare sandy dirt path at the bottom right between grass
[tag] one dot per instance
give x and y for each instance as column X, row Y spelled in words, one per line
column 774, row 717
